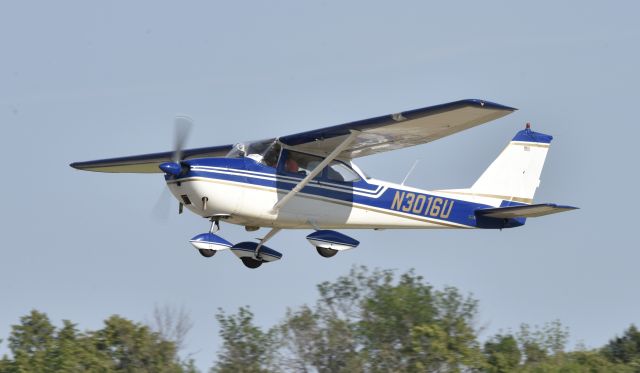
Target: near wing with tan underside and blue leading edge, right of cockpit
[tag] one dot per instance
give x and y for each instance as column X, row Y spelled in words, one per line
column 401, row 130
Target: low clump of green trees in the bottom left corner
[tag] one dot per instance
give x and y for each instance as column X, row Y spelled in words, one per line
column 121, row 345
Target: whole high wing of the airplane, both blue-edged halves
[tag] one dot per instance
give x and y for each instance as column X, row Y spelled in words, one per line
column 375, row 135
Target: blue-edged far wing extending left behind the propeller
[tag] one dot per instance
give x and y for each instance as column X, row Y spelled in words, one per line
column 147, row 163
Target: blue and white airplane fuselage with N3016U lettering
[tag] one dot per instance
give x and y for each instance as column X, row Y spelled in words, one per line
column 244, row 191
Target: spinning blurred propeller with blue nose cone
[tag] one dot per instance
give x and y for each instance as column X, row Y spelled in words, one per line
column 182, row 127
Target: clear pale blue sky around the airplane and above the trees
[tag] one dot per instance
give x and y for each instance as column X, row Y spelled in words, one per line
column 86, row 80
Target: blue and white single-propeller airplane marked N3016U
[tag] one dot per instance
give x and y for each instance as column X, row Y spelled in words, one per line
column 308, row 180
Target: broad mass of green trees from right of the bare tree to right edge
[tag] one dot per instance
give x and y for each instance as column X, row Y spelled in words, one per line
column 378, row 321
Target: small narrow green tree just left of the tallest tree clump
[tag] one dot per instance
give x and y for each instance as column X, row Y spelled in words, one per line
column 246, row 348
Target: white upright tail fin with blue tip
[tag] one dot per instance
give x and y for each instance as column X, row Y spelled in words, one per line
column 515, row 174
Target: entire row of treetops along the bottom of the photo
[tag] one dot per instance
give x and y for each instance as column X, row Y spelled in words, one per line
column 366, row 321
